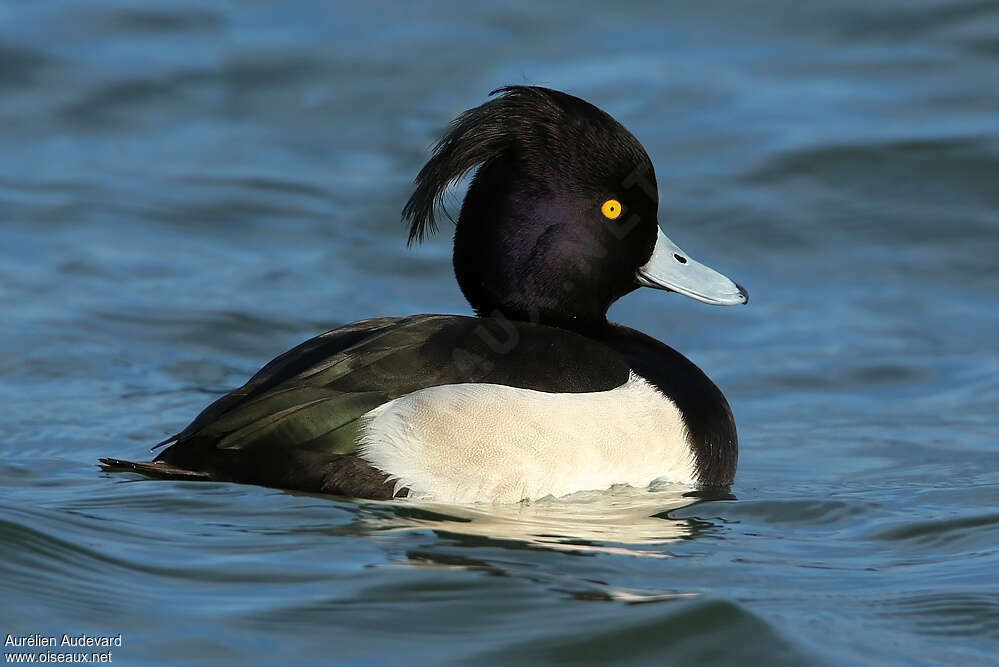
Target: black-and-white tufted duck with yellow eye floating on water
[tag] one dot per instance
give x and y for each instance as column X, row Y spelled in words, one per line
column 538, row 394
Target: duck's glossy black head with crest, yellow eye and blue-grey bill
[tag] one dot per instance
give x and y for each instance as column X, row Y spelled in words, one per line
column 560, row 219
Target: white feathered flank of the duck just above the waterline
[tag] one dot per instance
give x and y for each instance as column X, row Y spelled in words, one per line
column 465, row 443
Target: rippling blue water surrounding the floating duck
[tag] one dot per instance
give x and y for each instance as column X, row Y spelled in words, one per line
column 187, row 191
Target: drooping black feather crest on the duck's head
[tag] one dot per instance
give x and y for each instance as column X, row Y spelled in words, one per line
column 522, row 117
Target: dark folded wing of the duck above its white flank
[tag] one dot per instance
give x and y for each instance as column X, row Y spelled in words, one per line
column 283, row 426
